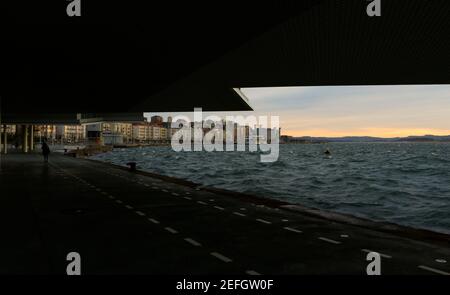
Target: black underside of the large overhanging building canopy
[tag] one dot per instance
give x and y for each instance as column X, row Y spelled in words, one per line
column 176, row 56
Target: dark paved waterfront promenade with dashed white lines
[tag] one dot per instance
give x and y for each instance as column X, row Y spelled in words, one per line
column 131, row 223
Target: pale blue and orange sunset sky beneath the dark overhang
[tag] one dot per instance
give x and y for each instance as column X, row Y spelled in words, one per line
column 335, row 111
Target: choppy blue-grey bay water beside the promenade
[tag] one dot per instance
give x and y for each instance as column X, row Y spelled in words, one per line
column 404, row 183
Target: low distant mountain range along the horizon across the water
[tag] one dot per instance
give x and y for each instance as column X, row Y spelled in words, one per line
column 425, row 138
